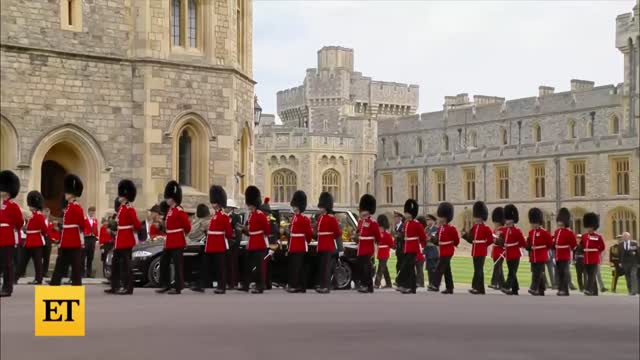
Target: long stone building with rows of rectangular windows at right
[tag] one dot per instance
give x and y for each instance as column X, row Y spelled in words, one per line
column 576, row 149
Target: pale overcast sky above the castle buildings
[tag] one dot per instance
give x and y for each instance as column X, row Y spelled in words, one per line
column 495, row 48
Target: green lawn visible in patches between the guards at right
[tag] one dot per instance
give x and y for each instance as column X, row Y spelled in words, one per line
column 462, row 268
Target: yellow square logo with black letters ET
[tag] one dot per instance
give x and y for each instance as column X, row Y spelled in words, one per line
column 59, row 311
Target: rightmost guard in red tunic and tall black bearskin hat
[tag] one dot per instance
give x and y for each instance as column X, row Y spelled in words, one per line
column 593, row 245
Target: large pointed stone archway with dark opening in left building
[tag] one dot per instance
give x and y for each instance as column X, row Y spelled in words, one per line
column 69, row 149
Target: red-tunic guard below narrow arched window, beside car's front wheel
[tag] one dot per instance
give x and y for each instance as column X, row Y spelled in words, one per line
column 178, row 226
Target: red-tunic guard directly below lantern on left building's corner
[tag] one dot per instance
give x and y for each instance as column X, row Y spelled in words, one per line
column 258, row 229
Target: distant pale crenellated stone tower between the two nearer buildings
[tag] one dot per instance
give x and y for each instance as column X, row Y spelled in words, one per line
column 328, row 137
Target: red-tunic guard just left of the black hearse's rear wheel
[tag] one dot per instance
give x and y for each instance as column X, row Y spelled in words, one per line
column 329, row 237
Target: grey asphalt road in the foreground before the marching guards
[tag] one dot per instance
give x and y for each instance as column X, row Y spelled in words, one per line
column 341, row 325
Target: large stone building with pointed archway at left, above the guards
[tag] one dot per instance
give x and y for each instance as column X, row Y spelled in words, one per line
column 148, row 90
